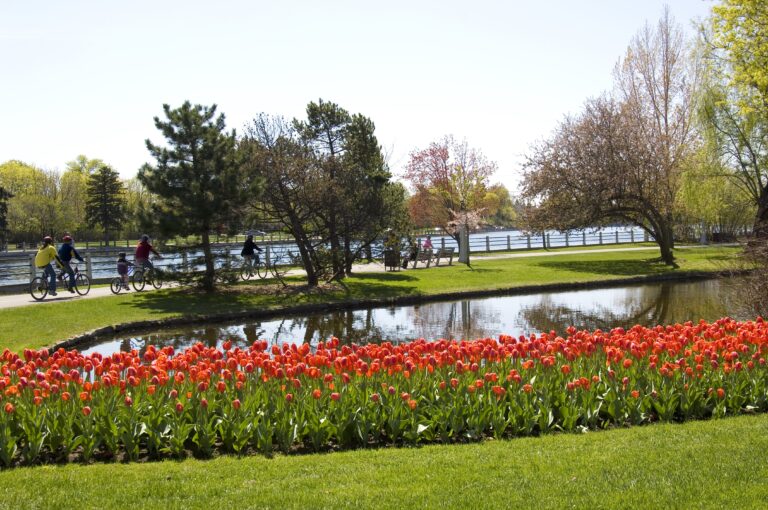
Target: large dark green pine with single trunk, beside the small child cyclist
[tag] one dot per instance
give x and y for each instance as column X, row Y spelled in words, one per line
column 196, row 177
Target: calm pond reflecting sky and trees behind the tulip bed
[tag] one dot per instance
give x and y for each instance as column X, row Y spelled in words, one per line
column 649, row 304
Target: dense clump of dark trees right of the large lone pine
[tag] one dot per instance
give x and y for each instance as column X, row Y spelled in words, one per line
column 326, row 183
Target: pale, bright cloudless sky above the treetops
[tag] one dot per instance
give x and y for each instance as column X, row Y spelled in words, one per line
column 87, row 77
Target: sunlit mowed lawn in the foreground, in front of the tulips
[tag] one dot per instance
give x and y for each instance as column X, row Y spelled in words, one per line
column 708, row 464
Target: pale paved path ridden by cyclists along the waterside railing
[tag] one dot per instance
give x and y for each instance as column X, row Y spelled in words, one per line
column 14, row 300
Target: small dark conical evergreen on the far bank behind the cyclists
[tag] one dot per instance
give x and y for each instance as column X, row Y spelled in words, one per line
column 105, row 201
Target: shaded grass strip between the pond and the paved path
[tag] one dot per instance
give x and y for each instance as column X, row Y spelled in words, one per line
column 44, row 324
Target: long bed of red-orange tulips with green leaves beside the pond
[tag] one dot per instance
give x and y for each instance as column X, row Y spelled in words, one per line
column 66, row 406
